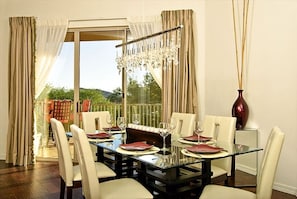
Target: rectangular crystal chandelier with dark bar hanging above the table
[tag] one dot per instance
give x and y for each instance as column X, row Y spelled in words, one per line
column 157, row 50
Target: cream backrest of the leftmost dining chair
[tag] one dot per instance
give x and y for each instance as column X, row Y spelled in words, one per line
column 64, row 155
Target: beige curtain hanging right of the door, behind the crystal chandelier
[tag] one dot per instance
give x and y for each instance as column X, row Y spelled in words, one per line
column 179, row 93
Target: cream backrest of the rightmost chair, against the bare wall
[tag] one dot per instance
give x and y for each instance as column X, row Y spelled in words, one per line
column 269, row 163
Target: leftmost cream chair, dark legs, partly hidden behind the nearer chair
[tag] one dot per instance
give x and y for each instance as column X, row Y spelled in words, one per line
column 70, row 173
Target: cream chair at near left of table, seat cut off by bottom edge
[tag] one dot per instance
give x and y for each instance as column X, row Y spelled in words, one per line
column 92, row 188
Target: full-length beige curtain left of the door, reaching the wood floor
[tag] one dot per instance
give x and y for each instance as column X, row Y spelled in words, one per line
column 21, row 91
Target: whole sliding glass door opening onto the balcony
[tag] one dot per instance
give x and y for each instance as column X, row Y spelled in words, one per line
column 86, row 74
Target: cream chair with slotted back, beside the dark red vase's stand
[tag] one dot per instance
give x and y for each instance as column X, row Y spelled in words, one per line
column 222, row 129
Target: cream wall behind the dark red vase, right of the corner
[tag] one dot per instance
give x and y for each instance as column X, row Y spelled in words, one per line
column 270, row 89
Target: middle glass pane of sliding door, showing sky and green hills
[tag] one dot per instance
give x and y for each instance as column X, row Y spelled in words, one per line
column 100, row 80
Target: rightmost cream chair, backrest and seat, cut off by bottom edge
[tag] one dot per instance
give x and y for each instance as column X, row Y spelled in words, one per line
column 265, row 178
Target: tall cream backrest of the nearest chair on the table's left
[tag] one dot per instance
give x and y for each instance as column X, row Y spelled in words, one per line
column 90, row 183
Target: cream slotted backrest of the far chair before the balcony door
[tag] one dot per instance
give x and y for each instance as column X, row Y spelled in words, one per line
column 88, row 120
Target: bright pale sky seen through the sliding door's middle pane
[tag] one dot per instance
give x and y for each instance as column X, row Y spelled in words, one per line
column 97, row 65
